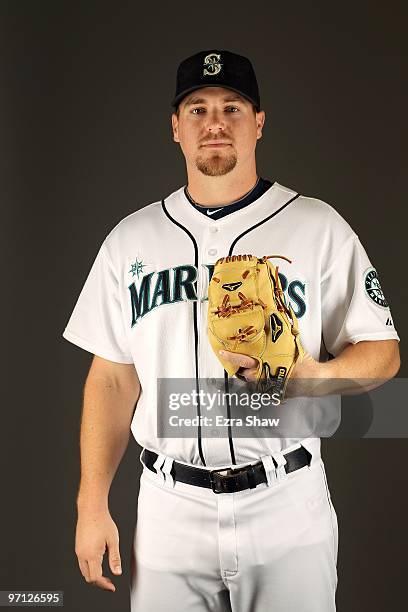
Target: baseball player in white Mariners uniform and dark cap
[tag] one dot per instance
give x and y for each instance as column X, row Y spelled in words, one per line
column 224, row 522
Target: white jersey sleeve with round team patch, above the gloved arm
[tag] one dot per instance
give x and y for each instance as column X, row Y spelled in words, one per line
column 354, row 307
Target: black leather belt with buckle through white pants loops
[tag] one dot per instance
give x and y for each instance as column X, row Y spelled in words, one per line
column 229, row 480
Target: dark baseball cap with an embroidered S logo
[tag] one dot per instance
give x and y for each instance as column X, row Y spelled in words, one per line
column 217, row 69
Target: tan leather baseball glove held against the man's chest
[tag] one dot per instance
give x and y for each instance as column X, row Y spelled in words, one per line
column 247, row 314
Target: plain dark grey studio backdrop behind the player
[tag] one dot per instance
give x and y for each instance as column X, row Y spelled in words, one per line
column 86, row 140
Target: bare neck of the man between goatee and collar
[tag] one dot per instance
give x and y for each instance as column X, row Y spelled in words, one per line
column 218, row 190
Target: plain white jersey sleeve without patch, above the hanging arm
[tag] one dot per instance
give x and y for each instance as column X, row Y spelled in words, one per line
column 96, row 323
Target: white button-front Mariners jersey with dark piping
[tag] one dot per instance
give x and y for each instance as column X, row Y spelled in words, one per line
column 145, row 299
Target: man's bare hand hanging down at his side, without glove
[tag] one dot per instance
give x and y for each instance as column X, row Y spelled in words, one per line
column 95, row 532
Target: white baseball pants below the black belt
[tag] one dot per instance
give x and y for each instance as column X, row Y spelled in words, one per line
column 269, row 549
